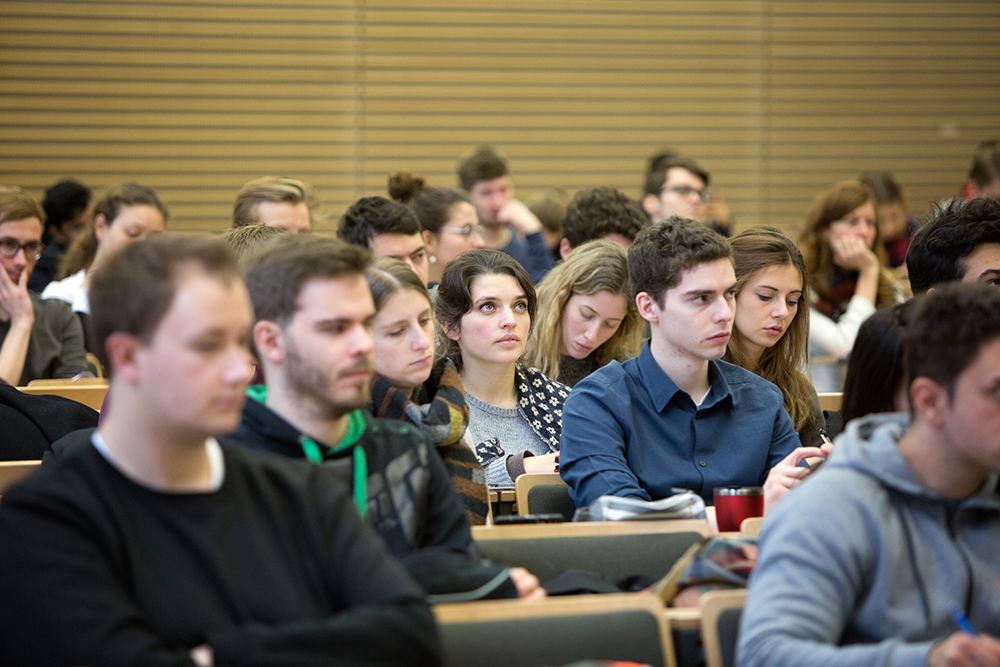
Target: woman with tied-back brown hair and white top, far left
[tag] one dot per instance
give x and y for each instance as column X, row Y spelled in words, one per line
column 125, row 214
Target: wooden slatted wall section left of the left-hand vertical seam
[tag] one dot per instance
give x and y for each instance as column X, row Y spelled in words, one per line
column 191, row 98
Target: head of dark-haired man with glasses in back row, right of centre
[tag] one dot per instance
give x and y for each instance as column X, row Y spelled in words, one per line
column 677, row 187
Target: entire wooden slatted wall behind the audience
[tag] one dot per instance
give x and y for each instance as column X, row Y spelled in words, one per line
column 777, row 99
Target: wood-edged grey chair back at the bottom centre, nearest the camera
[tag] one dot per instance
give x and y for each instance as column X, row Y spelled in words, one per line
column 556, row 631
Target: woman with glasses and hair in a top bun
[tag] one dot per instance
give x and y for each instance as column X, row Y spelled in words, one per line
column 448, row 218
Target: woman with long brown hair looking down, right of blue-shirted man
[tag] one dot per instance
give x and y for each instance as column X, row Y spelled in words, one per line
column 771, row 328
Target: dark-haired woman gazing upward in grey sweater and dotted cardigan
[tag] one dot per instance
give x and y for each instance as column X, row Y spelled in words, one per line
column 485, row 304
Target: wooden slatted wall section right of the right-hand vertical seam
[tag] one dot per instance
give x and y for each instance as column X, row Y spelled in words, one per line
column 910, row 87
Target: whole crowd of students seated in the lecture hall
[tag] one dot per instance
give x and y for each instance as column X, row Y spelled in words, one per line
column 553, row 378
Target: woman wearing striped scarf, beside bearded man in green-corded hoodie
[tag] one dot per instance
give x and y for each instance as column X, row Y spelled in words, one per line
column 410, row 385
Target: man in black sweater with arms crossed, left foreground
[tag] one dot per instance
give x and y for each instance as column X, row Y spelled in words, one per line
column 149, row 542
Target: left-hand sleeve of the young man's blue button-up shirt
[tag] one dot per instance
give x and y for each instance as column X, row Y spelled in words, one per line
column 592, row 459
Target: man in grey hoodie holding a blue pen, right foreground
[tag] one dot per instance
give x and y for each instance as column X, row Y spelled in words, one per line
column 888, row 555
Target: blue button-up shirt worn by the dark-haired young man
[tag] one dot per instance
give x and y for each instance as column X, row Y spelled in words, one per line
column 629, row 431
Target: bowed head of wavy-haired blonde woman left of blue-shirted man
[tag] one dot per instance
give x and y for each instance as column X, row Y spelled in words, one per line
column 586, row 315
